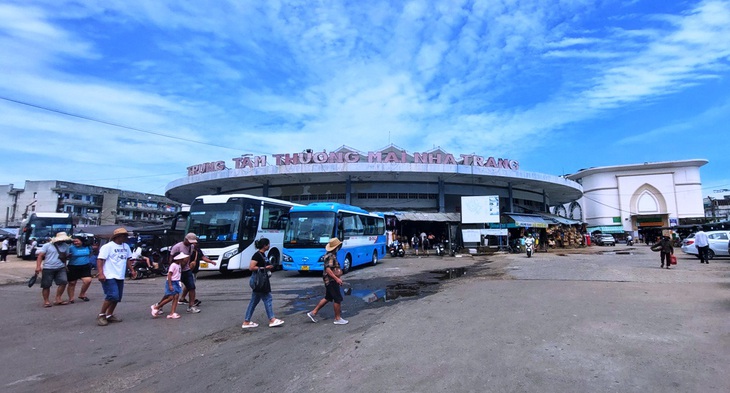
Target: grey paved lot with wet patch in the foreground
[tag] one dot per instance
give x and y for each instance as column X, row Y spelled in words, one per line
column 557, row 322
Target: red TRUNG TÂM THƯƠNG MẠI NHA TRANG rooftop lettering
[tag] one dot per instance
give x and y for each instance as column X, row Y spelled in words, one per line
column 391, row 157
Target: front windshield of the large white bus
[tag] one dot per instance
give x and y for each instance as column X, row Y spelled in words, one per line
column 216, row 223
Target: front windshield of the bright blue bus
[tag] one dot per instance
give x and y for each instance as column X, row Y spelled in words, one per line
column 309, row 229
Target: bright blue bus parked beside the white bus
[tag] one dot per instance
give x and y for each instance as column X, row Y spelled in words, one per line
column 311, row 227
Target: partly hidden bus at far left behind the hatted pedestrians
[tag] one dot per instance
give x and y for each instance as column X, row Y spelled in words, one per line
column 41, row 227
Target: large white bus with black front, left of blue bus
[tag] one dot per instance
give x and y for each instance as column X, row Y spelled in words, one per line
column 228, row 225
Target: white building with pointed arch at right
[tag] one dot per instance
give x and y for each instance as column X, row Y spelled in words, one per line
column 628, row 198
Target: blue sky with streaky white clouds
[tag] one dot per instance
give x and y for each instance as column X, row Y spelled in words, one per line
column 558, row 85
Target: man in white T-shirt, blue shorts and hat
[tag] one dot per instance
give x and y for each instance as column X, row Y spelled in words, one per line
column 114, row 259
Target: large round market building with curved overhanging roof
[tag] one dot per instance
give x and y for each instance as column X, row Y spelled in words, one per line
column 418, row 191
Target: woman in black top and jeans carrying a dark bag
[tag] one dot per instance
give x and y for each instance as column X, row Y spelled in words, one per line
column 259, row 263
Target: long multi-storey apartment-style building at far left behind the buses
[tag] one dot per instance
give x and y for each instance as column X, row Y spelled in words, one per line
column 89, row 205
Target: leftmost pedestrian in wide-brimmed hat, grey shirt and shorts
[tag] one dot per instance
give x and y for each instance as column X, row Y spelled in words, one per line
column 51, row 260
